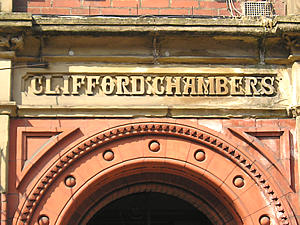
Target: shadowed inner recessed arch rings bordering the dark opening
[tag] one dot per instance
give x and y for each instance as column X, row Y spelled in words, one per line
column 199, row 194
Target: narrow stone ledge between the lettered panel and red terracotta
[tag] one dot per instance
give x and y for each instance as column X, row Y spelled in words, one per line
column 175, row 112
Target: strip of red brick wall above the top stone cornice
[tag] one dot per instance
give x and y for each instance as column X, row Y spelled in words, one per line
column 133, row 7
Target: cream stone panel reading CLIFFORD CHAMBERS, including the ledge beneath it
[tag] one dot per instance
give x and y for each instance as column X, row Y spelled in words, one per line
column 151, row 90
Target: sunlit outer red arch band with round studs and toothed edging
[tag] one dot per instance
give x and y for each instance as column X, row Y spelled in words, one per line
column 154, row 143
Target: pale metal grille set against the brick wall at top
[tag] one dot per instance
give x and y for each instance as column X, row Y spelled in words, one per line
column 260, row 8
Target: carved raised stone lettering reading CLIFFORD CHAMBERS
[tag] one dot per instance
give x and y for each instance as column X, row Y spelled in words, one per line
column 169, row 85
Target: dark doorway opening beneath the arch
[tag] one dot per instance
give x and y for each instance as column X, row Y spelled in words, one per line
column 149, row 208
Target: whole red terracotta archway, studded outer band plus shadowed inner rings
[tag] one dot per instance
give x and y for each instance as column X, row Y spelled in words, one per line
column 196, row 165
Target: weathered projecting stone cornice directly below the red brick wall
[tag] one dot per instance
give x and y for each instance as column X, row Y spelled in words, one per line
column 20, row 22
